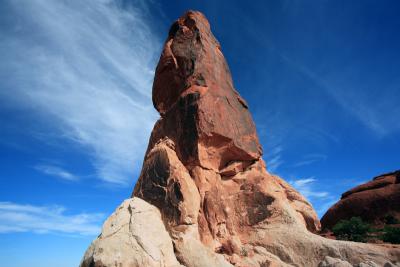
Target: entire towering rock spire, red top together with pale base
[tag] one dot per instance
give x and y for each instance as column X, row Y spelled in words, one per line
column 204, row 173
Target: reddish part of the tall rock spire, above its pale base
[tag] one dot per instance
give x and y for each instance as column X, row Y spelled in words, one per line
column 203, row 165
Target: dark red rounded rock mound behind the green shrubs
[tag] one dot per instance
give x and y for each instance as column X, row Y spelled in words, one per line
column 371, row 201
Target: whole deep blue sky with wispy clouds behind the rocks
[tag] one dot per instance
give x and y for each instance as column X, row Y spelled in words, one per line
column 321, row 78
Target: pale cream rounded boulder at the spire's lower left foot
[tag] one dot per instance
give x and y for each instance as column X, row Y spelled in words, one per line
column 133, row 236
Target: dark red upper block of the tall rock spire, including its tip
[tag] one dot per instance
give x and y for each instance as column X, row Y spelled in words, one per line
column 201, row 111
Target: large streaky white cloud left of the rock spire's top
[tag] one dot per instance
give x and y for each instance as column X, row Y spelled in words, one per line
column 86, row 69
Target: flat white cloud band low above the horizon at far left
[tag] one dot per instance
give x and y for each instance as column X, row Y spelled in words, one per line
column 47, row 219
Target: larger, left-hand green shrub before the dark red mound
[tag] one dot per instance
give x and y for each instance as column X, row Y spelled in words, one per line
column 353, row 230
